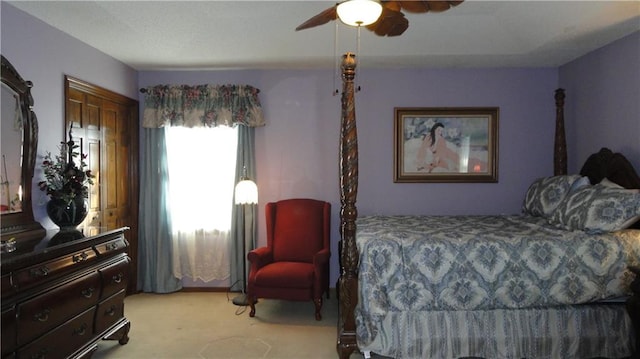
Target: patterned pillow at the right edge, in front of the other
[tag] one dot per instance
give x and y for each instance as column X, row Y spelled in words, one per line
column 598, row 209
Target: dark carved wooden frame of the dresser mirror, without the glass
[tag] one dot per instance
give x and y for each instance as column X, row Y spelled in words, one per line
column 22, row 221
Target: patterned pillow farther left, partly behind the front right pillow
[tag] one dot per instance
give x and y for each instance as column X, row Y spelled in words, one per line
column 545, row 194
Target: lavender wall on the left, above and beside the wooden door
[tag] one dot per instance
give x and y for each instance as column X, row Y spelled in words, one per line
column 44, row 55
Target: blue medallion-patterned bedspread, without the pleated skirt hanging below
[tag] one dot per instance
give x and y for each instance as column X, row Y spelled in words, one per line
column 487, row 262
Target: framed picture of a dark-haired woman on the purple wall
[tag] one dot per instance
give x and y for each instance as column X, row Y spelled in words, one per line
column 446, row 144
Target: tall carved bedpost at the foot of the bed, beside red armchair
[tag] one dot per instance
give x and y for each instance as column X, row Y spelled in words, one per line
column 348, row 281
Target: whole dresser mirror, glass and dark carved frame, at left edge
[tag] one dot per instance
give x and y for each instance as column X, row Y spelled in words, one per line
column 18, row 147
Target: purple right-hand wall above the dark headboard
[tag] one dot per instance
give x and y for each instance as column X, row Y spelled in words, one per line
column 603, row 101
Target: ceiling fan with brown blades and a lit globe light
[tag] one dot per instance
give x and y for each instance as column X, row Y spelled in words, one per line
column 391, row 22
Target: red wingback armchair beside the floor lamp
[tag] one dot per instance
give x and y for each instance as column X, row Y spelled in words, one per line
column 295, row 263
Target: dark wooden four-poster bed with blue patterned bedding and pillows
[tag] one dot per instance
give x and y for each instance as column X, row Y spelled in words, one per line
column 483, row 302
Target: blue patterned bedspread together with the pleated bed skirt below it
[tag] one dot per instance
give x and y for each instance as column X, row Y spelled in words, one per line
column 492, row 287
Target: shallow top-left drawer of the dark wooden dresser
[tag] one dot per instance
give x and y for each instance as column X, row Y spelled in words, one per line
column 41, row 273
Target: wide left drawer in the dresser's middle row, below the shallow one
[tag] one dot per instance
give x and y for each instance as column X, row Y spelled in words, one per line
column 44, row 312
